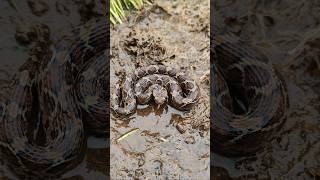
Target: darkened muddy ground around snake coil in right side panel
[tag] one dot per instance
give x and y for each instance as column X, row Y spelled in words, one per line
column 288, row 32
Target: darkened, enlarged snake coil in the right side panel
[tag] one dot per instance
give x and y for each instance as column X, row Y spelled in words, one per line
column 249, row 99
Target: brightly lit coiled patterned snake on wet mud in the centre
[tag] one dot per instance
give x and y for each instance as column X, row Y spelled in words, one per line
column 162, row 84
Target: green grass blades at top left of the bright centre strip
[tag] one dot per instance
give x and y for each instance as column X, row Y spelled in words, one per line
column 118, row 7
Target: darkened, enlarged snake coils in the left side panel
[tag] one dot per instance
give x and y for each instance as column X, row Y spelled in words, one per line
column 52, row 108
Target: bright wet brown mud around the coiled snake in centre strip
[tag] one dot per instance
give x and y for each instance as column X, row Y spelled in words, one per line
column 164, row 143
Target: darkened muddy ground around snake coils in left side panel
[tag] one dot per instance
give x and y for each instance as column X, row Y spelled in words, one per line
column 23, row 24
